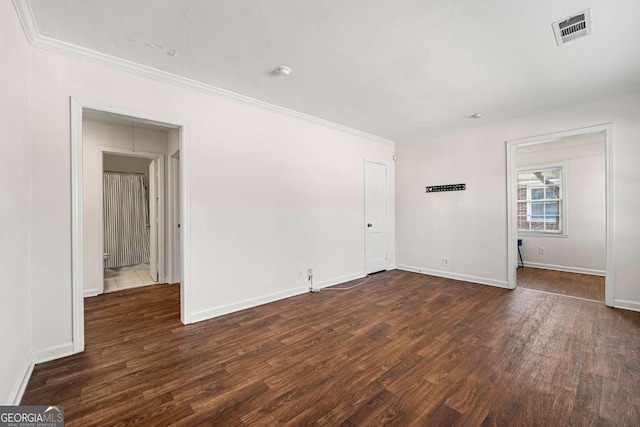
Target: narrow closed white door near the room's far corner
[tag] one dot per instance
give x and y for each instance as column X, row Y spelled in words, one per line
column 375, row 209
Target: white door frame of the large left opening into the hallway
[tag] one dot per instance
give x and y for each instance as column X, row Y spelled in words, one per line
column 77, row 107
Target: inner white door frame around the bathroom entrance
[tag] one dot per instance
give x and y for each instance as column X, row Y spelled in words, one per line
column 161, row 212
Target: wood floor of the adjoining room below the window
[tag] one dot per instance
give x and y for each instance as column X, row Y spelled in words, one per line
column 560, row 282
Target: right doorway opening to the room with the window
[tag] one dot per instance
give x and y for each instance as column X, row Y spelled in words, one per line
column 559, row 213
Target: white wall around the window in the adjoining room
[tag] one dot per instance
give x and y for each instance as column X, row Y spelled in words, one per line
column 582, row 248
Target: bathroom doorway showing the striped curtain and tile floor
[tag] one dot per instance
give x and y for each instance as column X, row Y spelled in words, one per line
column 132, row 219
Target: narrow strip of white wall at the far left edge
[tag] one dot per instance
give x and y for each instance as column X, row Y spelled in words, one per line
column 15, row 211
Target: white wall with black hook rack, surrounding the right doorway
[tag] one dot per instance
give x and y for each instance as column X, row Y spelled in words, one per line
column 470, row 226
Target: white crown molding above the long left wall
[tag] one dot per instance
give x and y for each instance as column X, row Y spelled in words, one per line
column 35, row 39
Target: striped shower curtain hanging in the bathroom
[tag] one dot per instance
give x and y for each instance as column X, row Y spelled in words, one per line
column 126, row 215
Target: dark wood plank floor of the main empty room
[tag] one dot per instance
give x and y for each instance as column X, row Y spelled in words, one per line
column 403, row 349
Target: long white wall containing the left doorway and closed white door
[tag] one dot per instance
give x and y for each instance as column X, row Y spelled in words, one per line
column 270, row 194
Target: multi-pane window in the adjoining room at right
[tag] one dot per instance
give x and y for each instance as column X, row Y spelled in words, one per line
column 540, row 199
